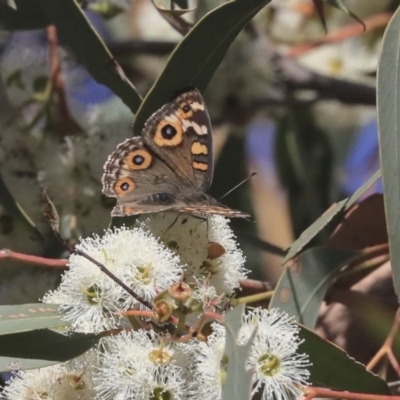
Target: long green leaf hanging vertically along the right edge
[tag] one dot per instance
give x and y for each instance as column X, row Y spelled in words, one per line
column 388, row 101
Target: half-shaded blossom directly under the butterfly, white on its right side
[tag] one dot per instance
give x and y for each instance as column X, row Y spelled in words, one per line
column 190, row 236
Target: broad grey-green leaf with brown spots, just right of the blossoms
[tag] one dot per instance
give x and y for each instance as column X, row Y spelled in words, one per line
column 302, row 288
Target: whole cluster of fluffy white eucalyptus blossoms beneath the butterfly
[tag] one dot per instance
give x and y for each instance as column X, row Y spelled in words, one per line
column 187, row 269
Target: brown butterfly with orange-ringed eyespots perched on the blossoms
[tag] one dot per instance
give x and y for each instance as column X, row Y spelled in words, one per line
column 170, row 166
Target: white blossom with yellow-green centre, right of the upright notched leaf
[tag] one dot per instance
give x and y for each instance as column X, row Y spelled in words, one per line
column 278, row 368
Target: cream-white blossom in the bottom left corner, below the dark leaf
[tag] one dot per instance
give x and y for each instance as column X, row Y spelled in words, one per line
column 68, row 381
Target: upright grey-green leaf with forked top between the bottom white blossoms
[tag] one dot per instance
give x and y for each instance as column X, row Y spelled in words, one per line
column 238, row 379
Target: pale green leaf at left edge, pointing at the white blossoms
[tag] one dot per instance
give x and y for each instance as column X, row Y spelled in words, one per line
column 28, row 317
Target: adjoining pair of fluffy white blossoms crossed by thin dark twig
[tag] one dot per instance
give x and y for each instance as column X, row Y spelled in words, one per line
column 91, row 300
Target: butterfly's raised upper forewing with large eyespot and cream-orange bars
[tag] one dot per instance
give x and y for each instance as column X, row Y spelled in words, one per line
column 180, row 134
